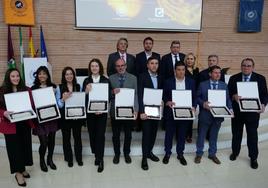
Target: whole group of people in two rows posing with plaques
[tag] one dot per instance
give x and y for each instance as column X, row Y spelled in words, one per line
column 174, row 71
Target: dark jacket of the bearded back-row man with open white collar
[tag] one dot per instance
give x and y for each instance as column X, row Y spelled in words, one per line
column 141, row 62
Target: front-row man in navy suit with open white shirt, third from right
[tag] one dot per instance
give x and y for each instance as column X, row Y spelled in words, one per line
column 179, row 82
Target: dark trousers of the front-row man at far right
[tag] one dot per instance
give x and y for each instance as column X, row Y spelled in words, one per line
column 251, row 122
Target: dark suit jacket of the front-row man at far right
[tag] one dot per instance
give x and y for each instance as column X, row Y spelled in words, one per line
column 262, row 87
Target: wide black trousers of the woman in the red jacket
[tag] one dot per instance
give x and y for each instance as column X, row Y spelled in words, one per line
column 19, row 148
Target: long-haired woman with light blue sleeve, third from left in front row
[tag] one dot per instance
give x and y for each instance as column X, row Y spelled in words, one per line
column 64, row 91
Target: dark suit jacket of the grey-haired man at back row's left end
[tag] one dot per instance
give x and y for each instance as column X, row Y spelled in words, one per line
column 131, row 68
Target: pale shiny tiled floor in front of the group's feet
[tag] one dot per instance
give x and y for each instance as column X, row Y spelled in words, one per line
column 204, row 175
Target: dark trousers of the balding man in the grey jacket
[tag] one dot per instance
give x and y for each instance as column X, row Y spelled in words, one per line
column 117, row 125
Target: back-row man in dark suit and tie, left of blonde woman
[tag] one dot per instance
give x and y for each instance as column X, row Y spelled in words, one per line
column 168, row 61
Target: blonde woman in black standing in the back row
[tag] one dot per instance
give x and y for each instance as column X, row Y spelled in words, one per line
column 191, row 71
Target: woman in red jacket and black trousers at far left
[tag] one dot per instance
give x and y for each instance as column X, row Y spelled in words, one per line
column 17, row 135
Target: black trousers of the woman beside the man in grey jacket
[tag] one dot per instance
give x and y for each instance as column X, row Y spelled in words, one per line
column 96, row 126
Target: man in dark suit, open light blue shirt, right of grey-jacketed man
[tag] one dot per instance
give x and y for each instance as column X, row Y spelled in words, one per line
column 149, row 79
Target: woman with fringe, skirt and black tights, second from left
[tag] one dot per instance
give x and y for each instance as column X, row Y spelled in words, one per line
column 45, row 131
